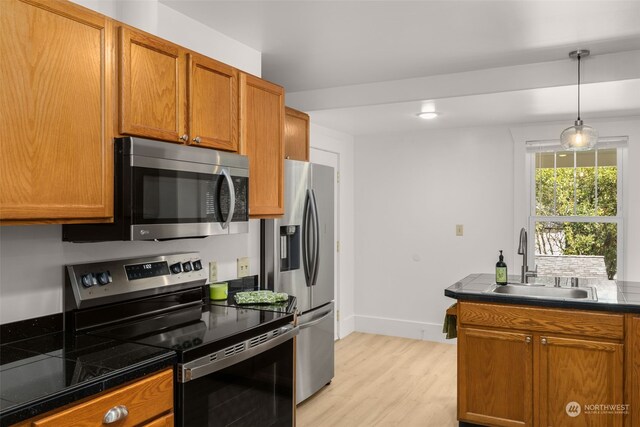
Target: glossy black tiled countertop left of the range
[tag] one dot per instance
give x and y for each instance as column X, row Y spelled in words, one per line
column 44, row 369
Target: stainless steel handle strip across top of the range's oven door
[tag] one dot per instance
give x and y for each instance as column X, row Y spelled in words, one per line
column 204, row 366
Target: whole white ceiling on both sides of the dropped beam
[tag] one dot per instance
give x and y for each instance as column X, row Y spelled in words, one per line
column 310, row 46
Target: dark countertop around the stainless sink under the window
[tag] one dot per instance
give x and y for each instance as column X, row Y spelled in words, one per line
column 621, row 296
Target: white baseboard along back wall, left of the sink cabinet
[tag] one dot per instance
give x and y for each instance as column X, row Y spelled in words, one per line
column 401, row 328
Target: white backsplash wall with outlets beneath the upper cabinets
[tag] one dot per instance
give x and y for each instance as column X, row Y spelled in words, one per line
column 32, row 260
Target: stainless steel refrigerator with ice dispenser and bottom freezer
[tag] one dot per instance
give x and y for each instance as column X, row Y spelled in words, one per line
column 298, row 258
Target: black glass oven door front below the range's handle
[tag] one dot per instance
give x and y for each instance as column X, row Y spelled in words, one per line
column 255, row 392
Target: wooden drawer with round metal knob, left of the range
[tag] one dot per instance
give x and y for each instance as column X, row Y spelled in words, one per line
column 148, row 402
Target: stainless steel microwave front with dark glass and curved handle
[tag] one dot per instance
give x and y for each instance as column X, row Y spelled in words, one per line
column 176, row 199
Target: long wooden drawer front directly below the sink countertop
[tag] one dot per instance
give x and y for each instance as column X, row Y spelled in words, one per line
column 575, row 322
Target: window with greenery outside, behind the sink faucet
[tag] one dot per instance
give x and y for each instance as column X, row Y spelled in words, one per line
column 576, row 211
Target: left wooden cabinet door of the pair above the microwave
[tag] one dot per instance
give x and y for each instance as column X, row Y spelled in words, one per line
column 151, row 80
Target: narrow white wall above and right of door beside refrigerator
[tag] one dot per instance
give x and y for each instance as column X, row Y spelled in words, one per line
column 327, row 139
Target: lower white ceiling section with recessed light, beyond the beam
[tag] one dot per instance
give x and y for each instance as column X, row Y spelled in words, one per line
column 599, row 100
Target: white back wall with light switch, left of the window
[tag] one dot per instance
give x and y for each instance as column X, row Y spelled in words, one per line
column 410, row 191
